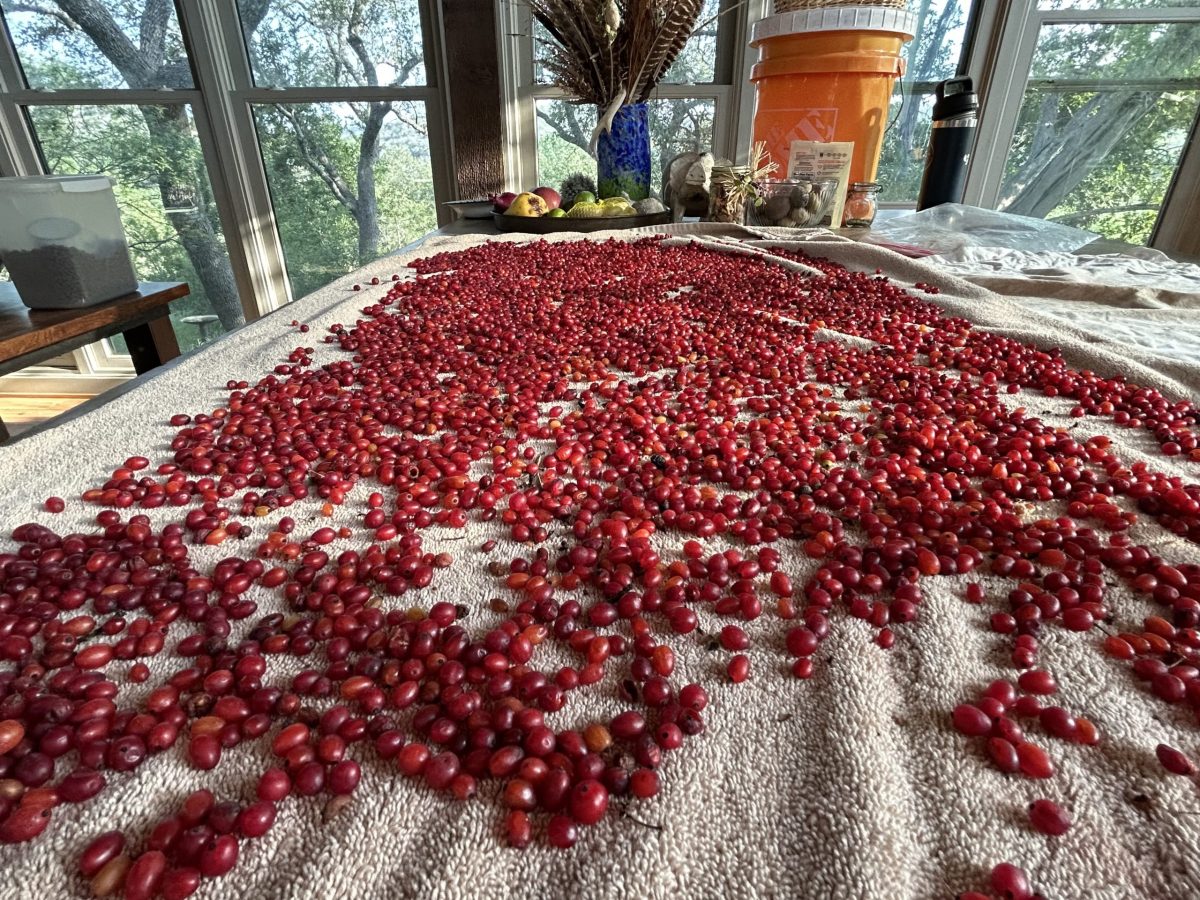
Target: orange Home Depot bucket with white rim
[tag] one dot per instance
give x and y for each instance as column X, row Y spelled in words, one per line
column 827, row 75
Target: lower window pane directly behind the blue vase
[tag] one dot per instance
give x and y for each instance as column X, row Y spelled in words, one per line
column 566, row 129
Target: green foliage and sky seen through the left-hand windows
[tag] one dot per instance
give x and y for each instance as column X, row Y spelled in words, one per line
column 297, row 43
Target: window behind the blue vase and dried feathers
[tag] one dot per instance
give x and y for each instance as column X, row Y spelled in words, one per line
column 697, row 107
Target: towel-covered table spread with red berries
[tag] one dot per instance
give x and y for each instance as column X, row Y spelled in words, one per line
column 871, row 436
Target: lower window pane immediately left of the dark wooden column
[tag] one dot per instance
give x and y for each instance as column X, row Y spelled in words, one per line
column 339, row 203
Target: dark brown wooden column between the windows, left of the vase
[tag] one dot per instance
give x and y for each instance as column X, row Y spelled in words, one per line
column 475, row 93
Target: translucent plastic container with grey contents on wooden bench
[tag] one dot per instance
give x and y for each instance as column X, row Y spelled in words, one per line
column 62, row 242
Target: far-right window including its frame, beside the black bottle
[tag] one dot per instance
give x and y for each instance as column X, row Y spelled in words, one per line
column 1091, row 113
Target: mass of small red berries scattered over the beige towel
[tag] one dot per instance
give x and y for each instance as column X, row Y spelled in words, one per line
column 650, row 424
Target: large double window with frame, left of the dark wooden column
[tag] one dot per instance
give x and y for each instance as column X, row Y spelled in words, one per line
column 261, row 148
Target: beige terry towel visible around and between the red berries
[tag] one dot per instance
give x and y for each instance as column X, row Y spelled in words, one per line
column 849, row 785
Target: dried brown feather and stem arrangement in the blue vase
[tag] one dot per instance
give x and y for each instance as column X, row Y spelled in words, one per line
column 614, row 52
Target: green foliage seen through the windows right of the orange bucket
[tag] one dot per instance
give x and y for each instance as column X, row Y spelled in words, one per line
column 1117, row 194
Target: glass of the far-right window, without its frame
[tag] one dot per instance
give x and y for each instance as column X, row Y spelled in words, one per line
column 1099, row 146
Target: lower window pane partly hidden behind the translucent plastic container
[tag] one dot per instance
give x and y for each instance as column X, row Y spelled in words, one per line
column 163, row 189
